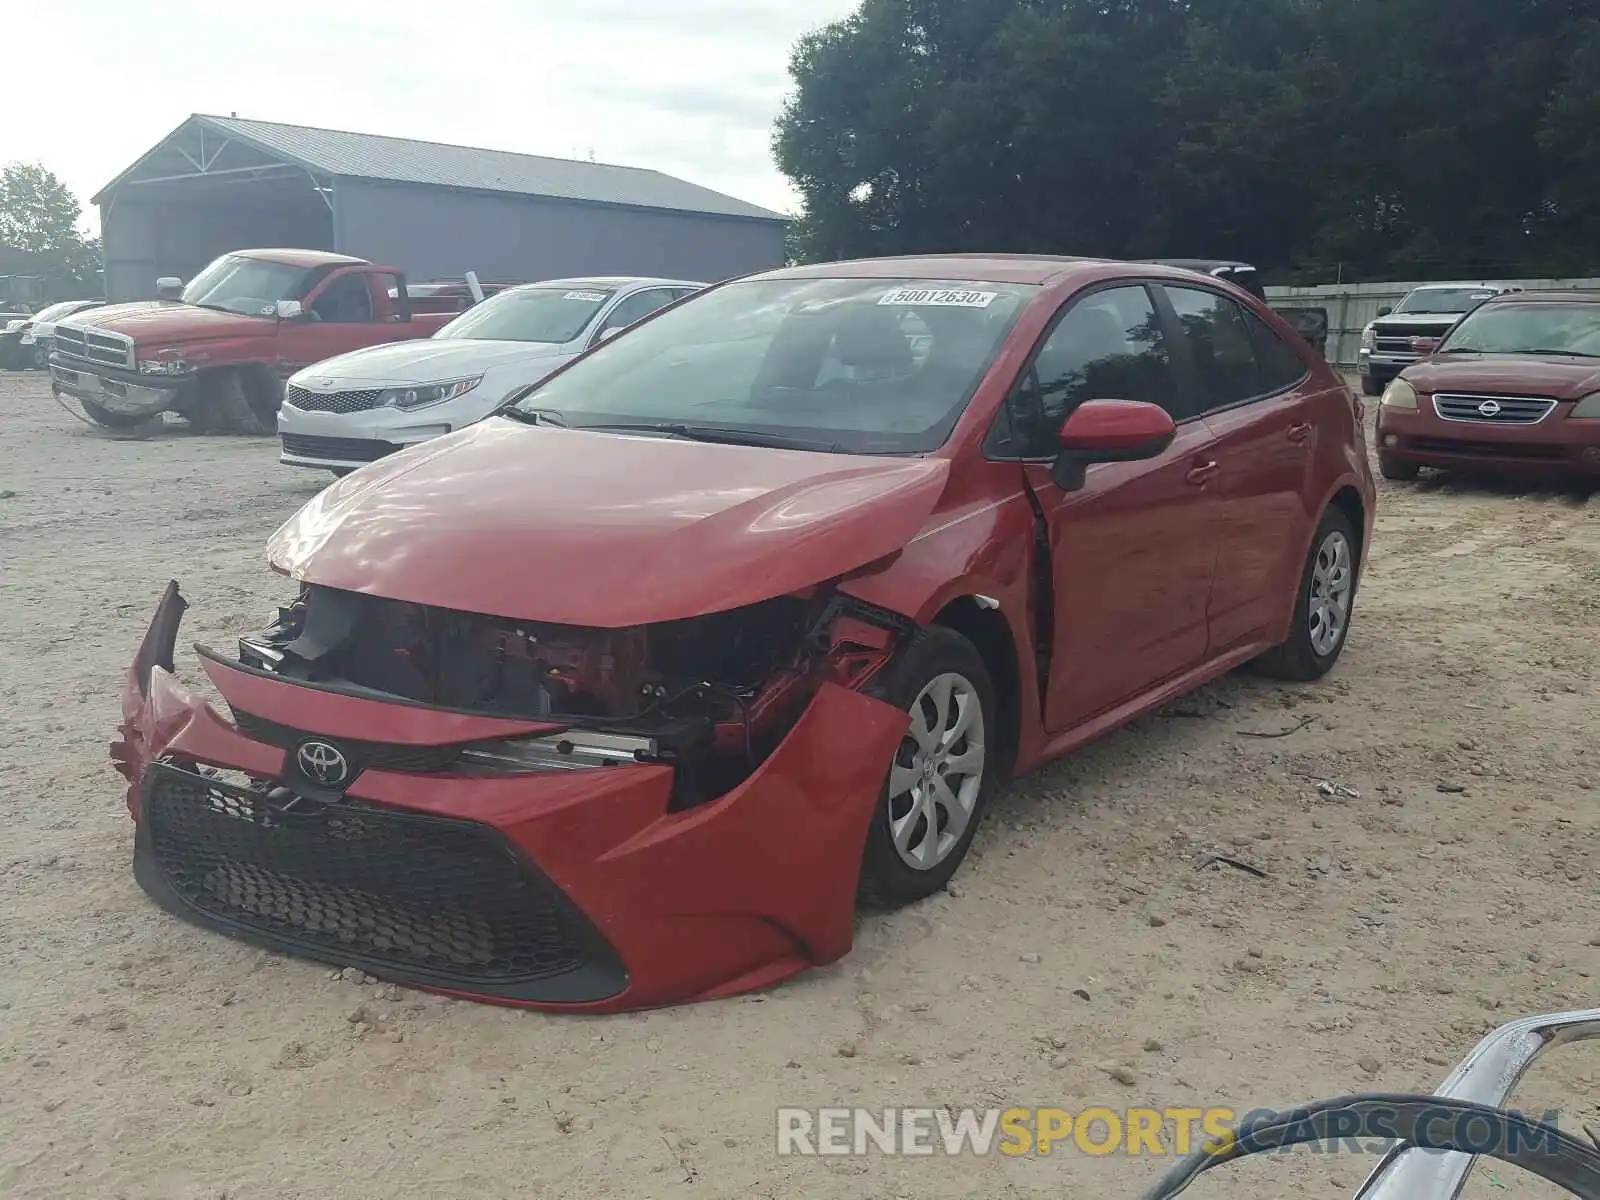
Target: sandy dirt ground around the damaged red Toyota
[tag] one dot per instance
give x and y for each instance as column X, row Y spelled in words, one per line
column 143, row 1058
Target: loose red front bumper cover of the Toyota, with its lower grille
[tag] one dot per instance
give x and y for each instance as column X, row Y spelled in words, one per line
column 574, row 890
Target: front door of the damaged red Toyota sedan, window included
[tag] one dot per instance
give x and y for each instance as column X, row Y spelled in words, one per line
column 1132, row 551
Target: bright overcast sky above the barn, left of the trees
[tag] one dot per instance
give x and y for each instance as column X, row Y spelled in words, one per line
column 686, row 87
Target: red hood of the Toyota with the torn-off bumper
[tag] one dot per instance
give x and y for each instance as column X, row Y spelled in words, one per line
column 602, row 530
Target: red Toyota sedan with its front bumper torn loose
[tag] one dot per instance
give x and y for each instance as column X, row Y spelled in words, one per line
column 630, row 695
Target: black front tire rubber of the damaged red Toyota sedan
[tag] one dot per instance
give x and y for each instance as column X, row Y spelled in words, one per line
column 887, row 879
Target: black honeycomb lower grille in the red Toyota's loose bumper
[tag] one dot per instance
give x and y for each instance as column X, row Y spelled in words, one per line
column 422, row 898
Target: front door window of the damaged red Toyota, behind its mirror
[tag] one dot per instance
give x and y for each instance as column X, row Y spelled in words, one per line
column 1108, row 346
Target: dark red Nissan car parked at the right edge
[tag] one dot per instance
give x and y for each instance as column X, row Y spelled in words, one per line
column 1514, row 386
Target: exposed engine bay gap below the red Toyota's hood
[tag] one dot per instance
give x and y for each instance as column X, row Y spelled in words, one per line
column 714, row 694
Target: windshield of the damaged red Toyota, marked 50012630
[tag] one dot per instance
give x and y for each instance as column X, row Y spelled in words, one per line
column 865, row 366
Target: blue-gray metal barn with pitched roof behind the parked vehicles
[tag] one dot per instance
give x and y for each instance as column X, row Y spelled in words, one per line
column 436, row 212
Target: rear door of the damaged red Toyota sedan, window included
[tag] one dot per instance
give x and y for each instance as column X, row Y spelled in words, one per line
column 1252, row 391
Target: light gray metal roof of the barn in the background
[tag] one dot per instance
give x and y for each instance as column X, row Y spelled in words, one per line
column 370, row 156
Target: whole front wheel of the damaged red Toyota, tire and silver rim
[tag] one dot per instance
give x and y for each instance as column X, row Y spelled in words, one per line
column 942, row 772
